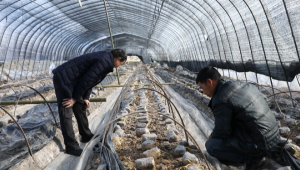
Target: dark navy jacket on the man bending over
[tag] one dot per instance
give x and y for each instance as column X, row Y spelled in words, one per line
column 78, row 75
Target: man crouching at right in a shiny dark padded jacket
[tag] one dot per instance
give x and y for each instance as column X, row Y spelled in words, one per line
column 245, row 129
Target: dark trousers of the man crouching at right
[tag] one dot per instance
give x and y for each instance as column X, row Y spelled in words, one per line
column 216, row 149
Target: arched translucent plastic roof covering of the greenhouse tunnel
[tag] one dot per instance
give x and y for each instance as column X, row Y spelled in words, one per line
column 250, row 35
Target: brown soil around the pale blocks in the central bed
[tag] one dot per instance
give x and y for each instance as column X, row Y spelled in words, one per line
column 130, row 146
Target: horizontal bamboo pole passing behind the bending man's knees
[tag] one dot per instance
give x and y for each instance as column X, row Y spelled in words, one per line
column 42, row 101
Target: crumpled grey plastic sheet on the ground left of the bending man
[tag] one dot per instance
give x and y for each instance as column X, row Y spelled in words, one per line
column 39, row 127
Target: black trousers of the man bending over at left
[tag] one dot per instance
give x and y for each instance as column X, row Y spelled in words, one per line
column 65, row 114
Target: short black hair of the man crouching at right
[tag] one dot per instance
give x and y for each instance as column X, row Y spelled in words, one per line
column 208, row 73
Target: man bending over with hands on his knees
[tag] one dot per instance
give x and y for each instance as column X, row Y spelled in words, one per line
column 73, row 82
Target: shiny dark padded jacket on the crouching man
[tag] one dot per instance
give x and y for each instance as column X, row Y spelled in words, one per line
column 243, row 118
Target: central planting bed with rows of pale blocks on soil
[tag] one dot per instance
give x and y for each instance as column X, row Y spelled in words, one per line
column 147, row 140
